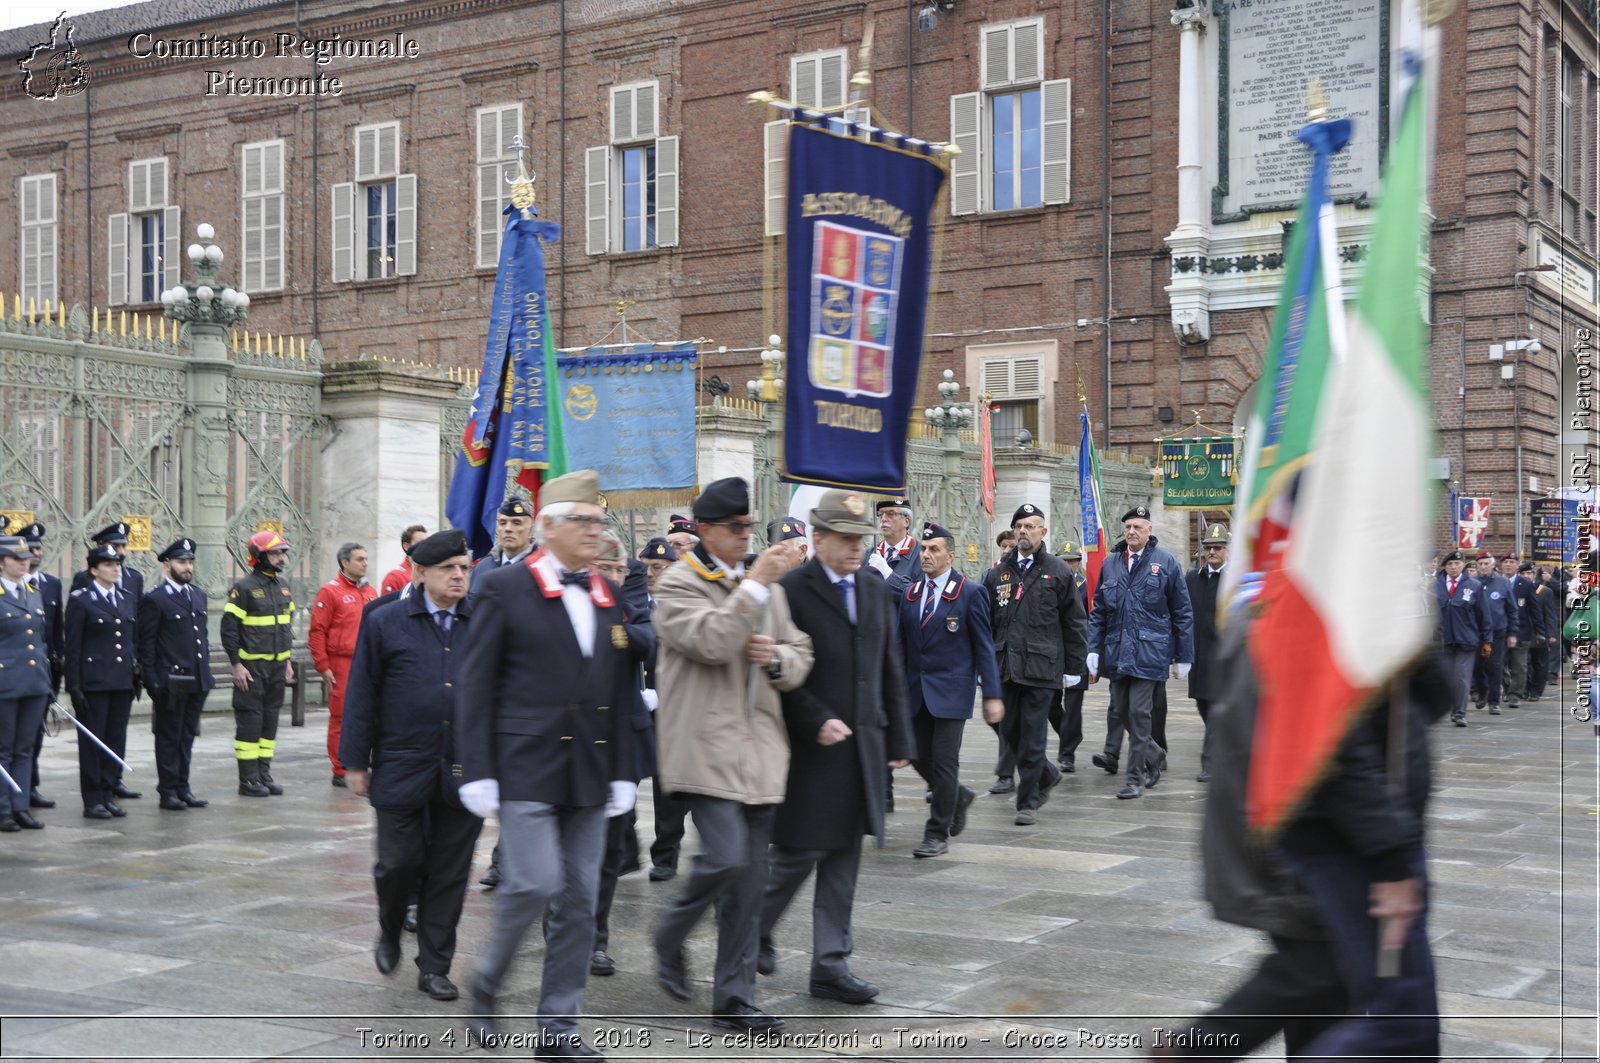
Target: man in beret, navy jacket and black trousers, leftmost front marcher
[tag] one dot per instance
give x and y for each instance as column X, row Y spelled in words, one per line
column 398, row 752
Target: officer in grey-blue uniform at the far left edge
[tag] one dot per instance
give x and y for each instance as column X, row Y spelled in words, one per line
column 25, row 680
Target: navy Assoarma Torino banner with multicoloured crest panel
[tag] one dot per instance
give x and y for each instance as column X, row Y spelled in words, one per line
column 860, row 257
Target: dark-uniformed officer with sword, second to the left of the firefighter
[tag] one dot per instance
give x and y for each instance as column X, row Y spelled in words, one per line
column 102, row 649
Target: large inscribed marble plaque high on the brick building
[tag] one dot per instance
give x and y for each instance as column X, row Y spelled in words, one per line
column 1273, row 50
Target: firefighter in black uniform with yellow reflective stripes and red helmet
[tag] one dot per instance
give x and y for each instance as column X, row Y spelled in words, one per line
column 258, row 638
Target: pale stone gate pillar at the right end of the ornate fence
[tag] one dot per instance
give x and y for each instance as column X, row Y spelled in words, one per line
column 380, row 463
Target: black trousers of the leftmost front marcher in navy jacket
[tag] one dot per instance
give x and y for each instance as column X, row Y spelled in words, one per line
column 425, row 852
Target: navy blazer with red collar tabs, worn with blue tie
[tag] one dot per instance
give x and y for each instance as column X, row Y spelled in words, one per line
column 950, row 652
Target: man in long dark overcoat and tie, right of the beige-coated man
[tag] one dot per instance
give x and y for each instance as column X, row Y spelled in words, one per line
column 847, row 723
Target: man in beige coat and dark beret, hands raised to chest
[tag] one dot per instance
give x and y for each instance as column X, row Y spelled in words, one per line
column 726, row 651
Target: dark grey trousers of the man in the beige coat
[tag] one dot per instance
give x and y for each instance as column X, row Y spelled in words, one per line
column 732, row 873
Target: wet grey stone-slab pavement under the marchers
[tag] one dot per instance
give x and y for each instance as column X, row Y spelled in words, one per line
column 246, row 931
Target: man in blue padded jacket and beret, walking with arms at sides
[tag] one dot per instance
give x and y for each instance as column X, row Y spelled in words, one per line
column 1142, row 628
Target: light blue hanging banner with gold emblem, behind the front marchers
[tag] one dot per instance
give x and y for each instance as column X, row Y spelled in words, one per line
column 630, row 415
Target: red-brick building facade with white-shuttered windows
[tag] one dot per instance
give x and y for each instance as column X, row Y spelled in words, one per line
column 369, row 215
